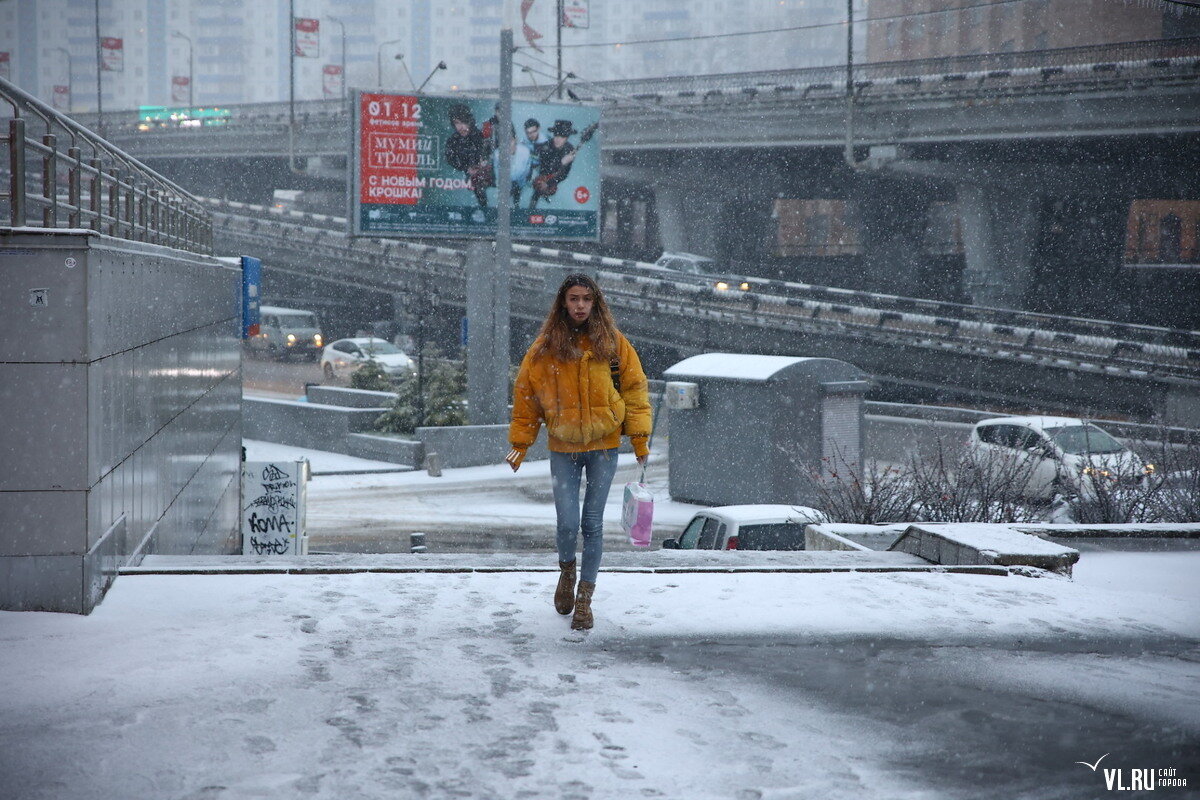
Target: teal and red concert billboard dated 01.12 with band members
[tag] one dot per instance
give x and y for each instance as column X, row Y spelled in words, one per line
column 428, row 167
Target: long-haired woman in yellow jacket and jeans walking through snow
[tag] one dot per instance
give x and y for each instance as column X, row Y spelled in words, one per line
column 584, row 380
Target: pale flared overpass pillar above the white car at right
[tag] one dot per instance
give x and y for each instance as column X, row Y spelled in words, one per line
column 1000, row 230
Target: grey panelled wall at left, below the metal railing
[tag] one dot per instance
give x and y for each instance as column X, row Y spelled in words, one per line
column 121, row 393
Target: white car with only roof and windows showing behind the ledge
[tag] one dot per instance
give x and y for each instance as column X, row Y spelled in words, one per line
column 747, row 528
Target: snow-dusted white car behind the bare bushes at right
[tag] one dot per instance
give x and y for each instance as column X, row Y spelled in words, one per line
column 1061, row 455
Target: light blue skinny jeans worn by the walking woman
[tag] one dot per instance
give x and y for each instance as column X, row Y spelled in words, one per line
column 566, row 471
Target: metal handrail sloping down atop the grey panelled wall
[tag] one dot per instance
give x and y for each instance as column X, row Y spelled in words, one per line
column 105, row 190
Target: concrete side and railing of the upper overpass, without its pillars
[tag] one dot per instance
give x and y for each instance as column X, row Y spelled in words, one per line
column 1005, row 97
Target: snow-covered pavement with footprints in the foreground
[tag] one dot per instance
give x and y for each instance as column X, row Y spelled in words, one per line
column 692, row 687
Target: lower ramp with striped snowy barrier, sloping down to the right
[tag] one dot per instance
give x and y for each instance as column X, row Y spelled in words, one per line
column 893, row 338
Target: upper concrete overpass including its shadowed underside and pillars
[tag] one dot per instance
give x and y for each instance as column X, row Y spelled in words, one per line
column 1021, row 145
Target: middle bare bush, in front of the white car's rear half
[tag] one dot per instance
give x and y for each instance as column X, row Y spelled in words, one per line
column 957, row 484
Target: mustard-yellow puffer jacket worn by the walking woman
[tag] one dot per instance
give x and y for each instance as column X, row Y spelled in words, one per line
column 578, row 401
